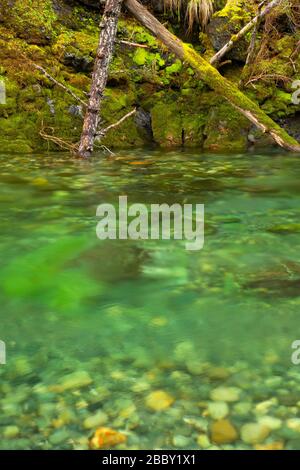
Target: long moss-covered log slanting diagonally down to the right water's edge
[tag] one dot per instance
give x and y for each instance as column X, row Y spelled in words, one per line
column 213, row 78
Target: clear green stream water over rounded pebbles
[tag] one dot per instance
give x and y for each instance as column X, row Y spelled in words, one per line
column 142, row 316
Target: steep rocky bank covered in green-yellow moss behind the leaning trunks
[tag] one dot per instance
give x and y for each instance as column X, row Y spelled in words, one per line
column 174, row 107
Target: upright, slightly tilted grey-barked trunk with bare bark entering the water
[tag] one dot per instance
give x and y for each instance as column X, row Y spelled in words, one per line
column 108, row 26
